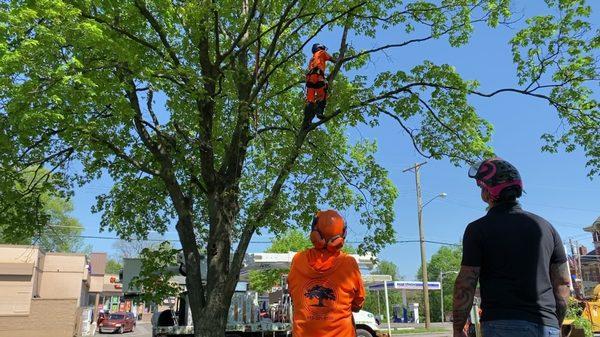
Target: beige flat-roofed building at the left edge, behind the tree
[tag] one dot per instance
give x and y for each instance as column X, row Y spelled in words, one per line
column 48, row 294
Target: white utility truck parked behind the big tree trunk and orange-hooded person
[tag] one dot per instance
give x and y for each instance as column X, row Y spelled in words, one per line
column 246, row 318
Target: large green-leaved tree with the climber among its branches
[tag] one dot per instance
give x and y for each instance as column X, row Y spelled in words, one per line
column 195, row 109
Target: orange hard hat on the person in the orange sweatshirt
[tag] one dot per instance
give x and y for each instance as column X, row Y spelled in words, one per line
column 328, row 230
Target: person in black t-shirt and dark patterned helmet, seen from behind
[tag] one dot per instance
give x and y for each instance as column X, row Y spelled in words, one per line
column 518, row 259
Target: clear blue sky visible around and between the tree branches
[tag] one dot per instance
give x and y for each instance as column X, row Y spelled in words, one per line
column 556, row 184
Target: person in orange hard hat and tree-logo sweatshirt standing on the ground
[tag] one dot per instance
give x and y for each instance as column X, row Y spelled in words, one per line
column 325, row 283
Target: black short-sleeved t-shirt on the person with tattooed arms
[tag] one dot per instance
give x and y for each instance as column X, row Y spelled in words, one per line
column 514, row 249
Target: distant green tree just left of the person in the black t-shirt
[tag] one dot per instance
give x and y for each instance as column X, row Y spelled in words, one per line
column 446, row 259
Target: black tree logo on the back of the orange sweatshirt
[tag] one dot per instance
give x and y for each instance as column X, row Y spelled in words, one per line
column 319, row 299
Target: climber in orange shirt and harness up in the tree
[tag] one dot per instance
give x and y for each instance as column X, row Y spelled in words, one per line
column 316, row 83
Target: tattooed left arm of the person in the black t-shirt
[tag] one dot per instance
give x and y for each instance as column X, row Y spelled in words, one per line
column 464, row 291
